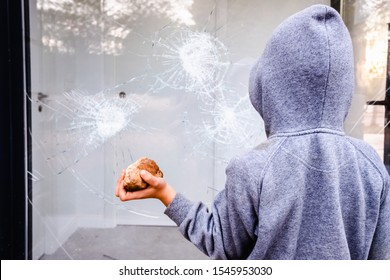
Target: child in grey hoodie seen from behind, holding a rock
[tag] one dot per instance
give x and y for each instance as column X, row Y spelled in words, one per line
column 309, row 191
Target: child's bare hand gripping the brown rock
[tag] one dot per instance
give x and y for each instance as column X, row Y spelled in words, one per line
column 158, row 189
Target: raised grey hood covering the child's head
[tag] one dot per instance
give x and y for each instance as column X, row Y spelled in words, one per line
column 304, row 79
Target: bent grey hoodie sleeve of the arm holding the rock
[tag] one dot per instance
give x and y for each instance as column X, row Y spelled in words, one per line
column 228, row 231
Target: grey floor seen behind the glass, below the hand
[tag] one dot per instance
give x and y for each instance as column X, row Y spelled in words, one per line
column 127, row 243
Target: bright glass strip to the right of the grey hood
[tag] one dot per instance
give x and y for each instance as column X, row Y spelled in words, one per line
column 368, row 22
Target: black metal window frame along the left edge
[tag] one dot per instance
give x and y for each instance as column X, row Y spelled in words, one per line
column 15, row 142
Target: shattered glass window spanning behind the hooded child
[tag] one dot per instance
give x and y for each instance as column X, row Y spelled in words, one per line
column 115, row 80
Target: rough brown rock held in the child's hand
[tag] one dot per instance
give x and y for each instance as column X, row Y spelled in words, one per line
column 133, row 181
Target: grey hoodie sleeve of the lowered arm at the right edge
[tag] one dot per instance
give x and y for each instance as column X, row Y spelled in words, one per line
column 380, row 247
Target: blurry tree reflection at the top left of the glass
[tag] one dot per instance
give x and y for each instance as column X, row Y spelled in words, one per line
column 103, row 25
